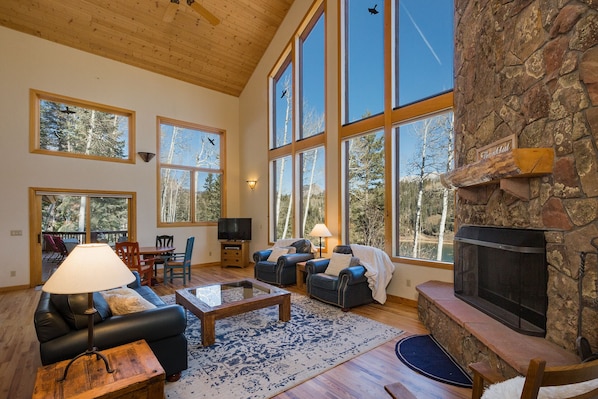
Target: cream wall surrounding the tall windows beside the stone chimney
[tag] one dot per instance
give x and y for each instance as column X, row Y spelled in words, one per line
column 254, row 147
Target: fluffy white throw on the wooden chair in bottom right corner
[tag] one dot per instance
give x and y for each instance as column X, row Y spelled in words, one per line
column 512, row 389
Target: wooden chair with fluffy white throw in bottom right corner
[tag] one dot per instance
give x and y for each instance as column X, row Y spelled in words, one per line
column 539, row 376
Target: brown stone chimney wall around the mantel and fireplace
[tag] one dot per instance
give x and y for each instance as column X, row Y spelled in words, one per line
column 529, row 68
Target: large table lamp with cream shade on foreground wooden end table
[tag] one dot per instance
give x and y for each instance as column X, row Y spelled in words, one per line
column 89, row 268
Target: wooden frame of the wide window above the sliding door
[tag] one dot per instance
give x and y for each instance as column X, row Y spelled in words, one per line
column 36, row 96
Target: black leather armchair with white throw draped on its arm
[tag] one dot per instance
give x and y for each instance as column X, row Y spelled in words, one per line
column 349, row 289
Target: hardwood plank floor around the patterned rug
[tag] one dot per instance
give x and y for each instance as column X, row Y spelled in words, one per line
column 361, row 377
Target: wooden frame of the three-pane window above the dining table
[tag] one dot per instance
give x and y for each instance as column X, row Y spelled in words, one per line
column 192, row 170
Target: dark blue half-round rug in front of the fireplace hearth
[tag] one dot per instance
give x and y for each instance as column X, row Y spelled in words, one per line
column 423, row 354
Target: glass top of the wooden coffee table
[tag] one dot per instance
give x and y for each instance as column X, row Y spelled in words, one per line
column 226, row 293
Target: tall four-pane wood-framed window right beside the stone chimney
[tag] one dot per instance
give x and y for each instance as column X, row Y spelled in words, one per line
column 396, row 128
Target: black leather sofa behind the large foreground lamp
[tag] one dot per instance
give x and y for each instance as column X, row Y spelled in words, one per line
column 62, row 328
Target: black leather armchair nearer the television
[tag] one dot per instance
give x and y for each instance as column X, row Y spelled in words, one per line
column 284, row 270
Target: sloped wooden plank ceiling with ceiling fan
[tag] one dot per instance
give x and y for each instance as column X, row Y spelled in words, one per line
column 221, row 57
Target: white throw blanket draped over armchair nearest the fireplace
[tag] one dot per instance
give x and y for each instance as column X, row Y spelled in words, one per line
column 379, row 269
